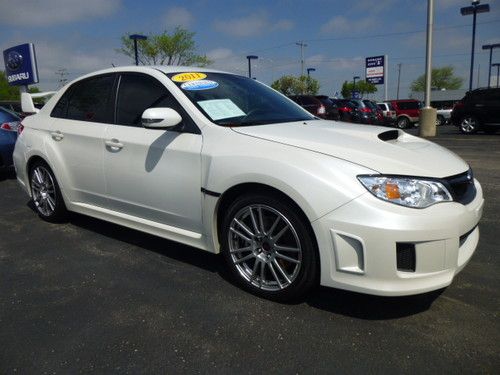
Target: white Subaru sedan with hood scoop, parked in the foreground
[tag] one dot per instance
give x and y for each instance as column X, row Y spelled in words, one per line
column 223, row 163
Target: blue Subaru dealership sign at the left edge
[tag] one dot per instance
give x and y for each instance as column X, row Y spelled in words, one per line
column 20, row 65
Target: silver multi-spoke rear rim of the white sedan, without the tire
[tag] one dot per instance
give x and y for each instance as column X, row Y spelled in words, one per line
column 43, row 190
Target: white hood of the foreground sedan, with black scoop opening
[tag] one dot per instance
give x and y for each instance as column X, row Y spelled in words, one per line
column 384, row 150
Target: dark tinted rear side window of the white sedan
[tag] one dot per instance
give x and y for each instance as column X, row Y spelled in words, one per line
column 91, row 100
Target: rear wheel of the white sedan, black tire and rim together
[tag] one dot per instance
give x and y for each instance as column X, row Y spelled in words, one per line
column 45, row 193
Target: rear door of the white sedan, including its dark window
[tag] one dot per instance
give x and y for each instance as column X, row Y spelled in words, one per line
column 75, row 145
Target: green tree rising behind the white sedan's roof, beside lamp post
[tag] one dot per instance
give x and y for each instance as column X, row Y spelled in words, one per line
column 177, row 48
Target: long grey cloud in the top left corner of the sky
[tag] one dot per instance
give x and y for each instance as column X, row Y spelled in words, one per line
column 54, row 12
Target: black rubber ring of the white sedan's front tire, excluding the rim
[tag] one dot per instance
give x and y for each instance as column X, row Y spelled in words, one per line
column 309, row 272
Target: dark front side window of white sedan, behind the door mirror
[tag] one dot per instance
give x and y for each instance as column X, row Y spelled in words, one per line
column 138, row 92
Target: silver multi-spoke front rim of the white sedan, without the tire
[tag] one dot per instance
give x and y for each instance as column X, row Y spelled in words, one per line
column 264, row 247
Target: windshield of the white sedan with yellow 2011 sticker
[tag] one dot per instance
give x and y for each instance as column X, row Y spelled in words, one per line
column 232, row 100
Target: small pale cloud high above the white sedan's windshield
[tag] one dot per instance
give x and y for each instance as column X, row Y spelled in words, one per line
column 251, row 25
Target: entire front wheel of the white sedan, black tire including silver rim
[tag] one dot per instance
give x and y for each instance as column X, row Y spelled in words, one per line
column 268, row 248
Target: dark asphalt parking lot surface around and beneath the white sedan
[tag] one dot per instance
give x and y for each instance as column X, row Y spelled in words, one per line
column 89, row 296
